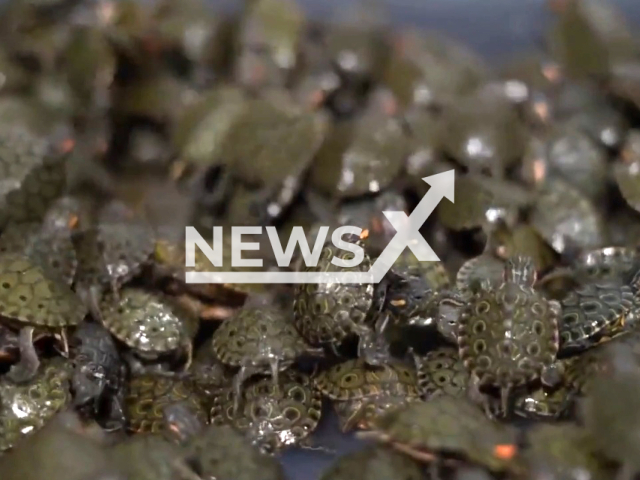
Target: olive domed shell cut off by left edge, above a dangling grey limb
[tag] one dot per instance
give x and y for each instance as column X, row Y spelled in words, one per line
column 28, row 295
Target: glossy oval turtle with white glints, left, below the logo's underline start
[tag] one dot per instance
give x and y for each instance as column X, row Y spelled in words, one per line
column 151, row 324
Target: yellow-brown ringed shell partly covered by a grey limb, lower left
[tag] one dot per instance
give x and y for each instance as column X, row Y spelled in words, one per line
column 148, row 395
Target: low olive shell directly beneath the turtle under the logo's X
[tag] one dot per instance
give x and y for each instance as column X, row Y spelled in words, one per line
column 354, row 380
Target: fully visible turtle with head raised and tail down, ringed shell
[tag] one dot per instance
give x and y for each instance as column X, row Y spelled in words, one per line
column 508, row 336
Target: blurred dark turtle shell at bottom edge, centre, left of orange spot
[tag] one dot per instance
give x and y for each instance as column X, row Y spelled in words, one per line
column 373, row 463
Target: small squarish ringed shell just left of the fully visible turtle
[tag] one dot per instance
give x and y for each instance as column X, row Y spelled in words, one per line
column 441, row 372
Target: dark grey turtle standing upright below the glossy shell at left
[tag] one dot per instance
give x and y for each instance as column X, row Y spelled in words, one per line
column 99, row 375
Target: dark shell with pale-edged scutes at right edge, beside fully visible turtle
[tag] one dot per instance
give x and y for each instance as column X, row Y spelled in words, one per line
column 594, row 311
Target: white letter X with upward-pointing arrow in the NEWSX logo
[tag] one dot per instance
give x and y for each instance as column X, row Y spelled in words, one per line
column 408, row 235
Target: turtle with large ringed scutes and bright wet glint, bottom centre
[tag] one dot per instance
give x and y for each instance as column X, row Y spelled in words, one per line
column 273, row 418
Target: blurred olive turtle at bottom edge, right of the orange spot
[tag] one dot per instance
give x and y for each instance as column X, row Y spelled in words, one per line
column 565, row 449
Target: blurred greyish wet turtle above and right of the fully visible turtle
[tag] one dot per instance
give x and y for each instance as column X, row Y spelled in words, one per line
column 566, row 219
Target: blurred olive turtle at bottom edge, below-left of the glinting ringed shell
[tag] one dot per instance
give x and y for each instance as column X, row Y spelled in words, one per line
column 221, row 452
